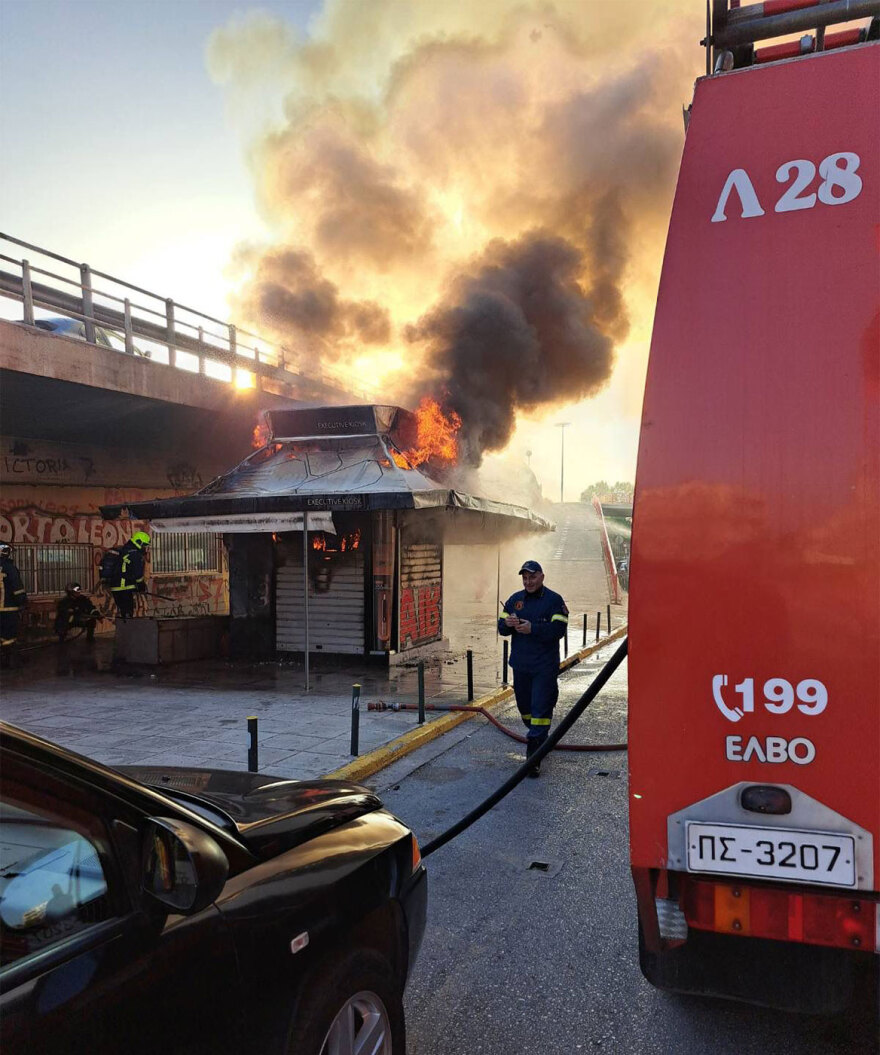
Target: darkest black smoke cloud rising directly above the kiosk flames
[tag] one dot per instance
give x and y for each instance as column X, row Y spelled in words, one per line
column 521, row 333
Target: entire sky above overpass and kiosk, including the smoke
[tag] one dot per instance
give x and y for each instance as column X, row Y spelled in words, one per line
column 361, row 178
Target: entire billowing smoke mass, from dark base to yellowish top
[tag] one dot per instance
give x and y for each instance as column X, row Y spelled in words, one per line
column 466, row 198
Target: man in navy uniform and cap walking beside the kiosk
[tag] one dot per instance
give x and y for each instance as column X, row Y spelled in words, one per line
column 537, row 618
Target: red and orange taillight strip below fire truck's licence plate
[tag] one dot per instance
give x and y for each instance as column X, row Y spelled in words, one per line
column 759, row 912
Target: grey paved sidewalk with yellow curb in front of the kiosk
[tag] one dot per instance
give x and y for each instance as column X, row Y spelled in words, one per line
column 196, row 715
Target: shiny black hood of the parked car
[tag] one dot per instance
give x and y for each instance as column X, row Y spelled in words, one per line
column 271, row 815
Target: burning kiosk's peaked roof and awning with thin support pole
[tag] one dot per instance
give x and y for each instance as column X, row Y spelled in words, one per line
column 327, row 461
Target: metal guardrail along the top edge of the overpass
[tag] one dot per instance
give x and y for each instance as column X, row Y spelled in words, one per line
column 180, row 336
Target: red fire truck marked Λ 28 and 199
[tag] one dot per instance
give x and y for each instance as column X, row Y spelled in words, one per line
column 755, row 604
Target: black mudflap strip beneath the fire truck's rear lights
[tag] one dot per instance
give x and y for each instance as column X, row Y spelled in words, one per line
column 787, row 976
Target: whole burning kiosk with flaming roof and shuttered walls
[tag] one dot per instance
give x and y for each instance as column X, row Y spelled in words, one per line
column 336, row 531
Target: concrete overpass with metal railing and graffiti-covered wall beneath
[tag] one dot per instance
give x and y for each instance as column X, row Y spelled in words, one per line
column 143, row 405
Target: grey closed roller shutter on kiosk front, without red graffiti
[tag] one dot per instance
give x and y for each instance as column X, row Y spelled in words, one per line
column 336, row 606
